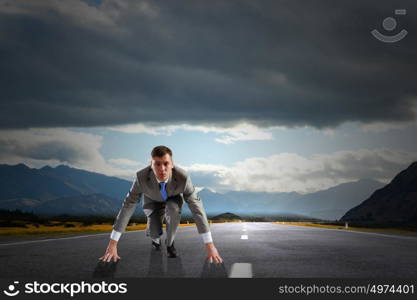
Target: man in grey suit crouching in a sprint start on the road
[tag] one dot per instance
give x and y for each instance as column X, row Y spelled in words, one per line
column 164, row 188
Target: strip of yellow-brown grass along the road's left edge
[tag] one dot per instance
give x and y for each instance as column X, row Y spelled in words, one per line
column 63, row 228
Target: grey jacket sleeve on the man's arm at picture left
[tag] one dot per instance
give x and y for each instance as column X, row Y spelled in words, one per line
column 128, row 207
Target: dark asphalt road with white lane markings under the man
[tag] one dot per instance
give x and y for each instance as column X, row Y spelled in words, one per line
column 268, row 250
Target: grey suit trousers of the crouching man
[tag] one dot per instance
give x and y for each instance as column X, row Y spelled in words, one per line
column 171, row 212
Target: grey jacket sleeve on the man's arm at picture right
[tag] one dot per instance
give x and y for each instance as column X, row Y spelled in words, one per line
column 195, row 204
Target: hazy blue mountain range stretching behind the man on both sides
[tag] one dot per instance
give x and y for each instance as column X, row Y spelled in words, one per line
column 66, row 190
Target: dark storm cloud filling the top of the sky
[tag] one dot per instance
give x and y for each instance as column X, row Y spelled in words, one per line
column 293, row 63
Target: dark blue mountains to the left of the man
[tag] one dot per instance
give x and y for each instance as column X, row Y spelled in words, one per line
column 30, row 189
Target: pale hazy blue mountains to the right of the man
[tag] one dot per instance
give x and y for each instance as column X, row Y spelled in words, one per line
column 329, row 204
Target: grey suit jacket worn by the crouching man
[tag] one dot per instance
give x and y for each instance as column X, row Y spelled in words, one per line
column 179, row 183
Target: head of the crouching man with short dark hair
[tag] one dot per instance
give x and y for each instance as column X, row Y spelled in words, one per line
column 162, row 163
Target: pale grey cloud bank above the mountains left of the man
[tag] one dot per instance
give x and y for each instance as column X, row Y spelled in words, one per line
column 55, row 146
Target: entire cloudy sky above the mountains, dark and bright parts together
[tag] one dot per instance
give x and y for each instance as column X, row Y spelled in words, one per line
column 250, row 95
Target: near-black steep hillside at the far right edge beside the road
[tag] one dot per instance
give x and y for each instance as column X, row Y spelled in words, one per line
column 394, row 203
